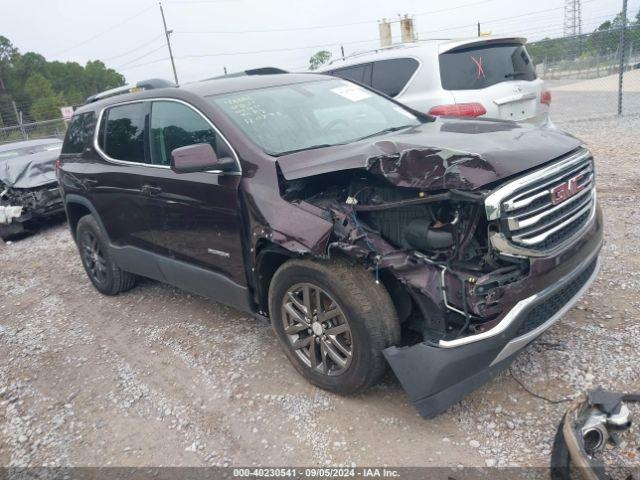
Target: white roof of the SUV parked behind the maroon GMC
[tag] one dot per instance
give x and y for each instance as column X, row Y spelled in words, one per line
column 416, row 49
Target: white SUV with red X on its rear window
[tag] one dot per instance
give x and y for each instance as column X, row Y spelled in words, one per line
column 486, row 76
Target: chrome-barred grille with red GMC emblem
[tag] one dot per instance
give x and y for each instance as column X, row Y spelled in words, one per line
column 529, row 219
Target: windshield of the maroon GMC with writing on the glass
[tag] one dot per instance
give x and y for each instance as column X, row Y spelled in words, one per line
column 317, row 114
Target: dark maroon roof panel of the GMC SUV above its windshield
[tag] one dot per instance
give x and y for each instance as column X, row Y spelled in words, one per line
column 223, row 85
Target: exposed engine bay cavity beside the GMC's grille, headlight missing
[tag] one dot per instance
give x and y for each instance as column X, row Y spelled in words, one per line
column 435, row 243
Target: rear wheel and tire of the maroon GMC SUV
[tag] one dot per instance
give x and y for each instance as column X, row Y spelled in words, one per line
column 105, row 275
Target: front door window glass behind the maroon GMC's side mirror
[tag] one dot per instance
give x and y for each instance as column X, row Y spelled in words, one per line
column 175, row 125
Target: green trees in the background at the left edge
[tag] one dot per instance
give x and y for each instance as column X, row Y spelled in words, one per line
column 43, row 86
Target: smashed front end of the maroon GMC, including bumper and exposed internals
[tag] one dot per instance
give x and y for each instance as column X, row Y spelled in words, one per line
column 422, row 221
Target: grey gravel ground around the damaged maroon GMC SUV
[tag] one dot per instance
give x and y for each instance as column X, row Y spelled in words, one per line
column 159, row 377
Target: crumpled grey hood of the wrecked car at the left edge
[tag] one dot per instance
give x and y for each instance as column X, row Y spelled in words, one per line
column 29, row 171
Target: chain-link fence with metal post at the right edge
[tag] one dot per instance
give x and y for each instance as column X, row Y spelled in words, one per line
column 591, row 75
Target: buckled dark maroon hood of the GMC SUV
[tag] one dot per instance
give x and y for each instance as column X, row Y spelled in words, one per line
column 444, row 154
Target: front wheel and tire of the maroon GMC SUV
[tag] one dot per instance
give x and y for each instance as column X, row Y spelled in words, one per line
column 366, row 307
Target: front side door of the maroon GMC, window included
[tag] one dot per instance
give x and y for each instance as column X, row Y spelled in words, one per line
column 194, row 217
